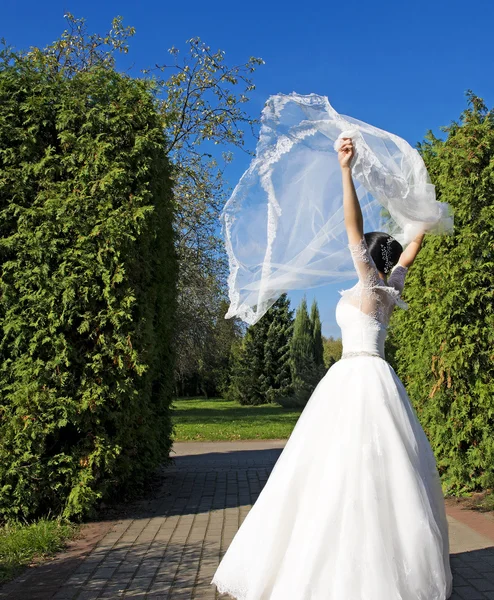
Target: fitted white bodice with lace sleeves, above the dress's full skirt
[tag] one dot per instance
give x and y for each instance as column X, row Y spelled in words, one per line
column 363, row 311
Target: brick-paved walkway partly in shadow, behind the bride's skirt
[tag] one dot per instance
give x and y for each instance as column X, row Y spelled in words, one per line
column 170, row 546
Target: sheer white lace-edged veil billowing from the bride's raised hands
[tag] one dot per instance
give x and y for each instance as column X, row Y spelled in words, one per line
column 283, row 224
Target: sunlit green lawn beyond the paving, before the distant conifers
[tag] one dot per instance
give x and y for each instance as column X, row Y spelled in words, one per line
column 198, row 419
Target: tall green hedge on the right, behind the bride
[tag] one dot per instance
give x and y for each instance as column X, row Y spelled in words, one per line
column 444, row 345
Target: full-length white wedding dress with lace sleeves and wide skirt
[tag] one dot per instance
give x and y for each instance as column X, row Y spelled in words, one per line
column 353, row 508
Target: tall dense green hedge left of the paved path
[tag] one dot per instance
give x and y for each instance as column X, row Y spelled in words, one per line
column 88, row 274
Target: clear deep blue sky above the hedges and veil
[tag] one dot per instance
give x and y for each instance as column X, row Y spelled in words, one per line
column 403, row 66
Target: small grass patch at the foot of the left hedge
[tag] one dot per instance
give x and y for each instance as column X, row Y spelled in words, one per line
column 20, row 544
